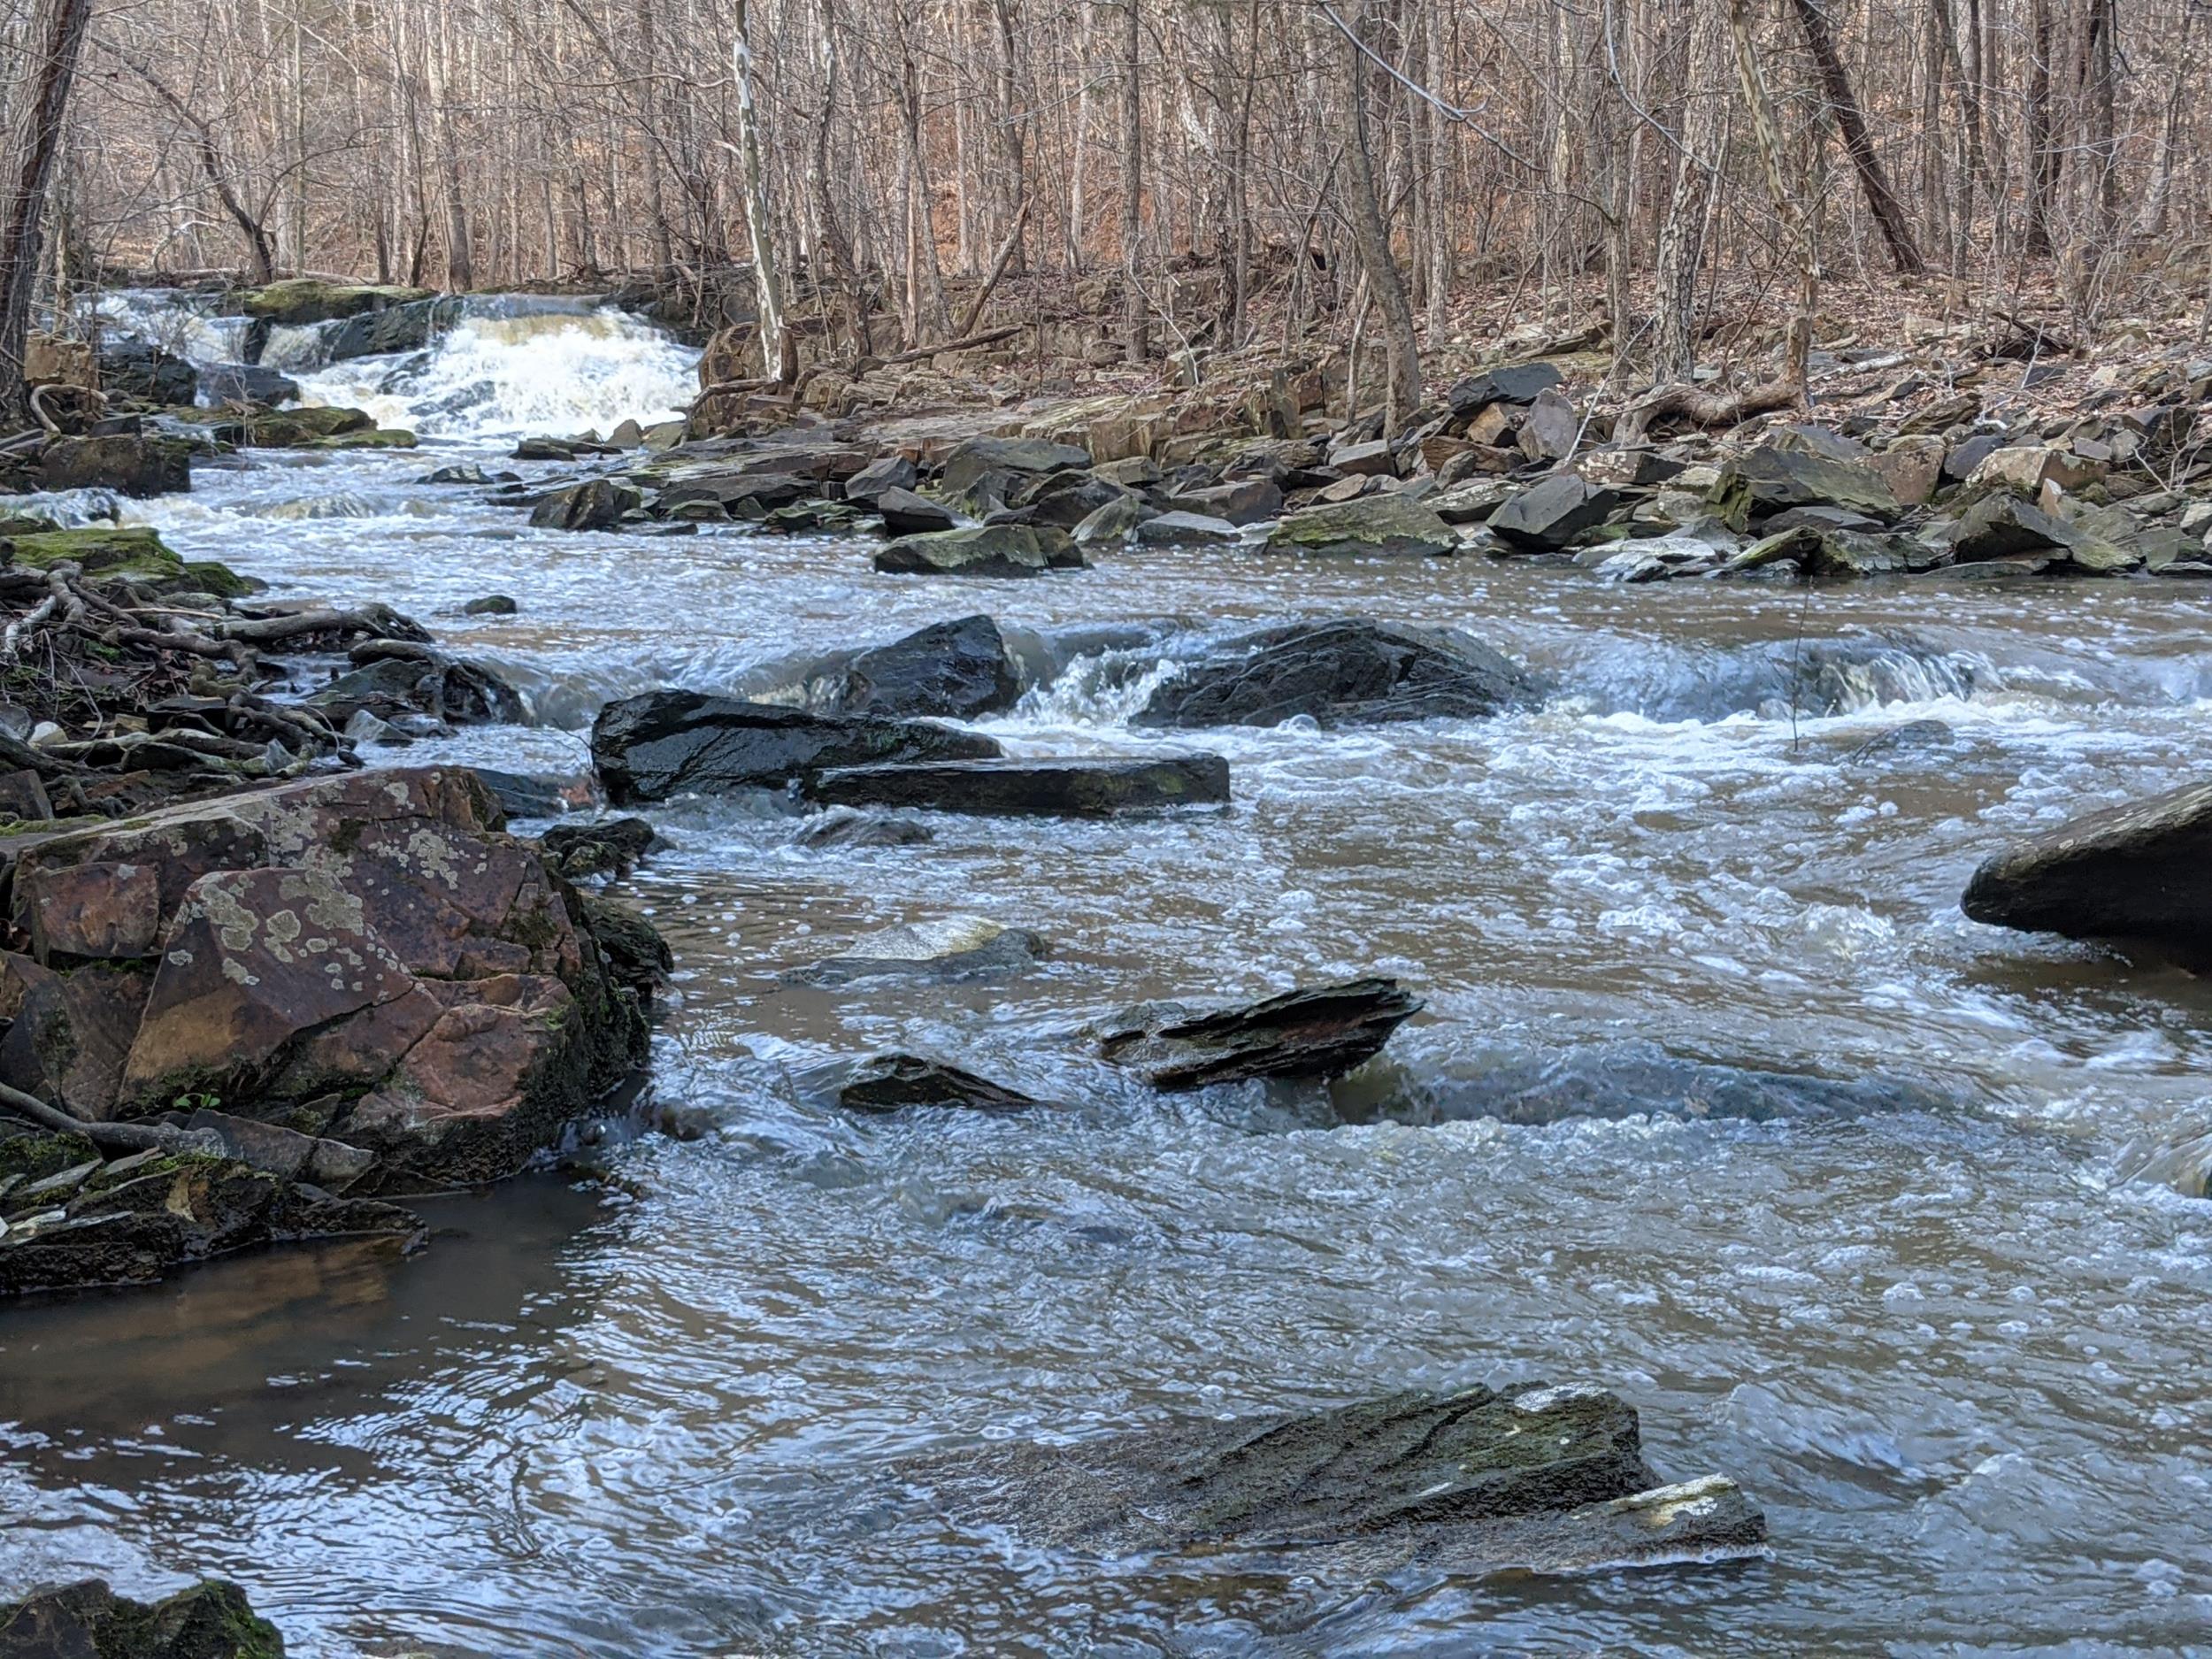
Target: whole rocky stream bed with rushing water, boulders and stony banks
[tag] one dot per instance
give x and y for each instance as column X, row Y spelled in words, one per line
column 859, row 1041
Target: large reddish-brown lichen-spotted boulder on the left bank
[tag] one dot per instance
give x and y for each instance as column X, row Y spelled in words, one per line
column 366, row 954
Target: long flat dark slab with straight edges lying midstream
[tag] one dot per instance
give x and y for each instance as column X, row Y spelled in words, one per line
column 1032, row 789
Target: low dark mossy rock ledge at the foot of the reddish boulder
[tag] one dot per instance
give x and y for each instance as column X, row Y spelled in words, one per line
column 140, row 1218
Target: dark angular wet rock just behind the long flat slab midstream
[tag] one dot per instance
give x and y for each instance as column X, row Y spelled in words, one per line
column 665, row 744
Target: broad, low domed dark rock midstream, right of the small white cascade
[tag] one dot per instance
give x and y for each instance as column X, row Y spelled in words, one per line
column 1342, row 674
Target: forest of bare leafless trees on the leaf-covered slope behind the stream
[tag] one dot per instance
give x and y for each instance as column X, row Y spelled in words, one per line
column 1339, row 163
